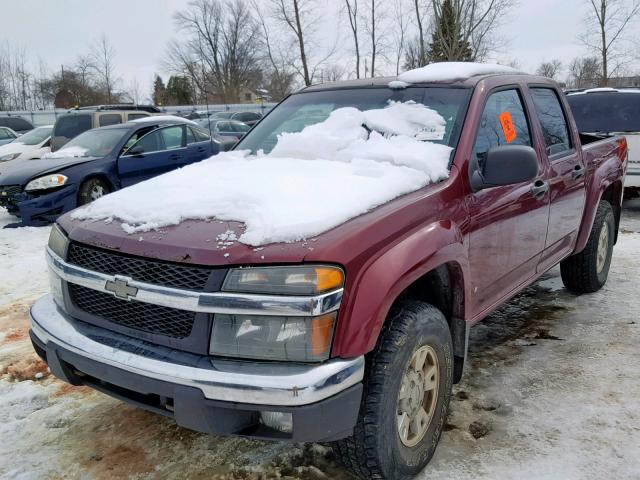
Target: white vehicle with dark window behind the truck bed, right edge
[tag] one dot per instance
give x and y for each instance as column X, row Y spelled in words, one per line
column 612, row 111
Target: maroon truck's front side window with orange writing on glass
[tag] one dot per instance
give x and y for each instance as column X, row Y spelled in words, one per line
column 503, row 122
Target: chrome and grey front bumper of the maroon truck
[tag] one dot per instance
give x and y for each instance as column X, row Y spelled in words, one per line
column 202, row 393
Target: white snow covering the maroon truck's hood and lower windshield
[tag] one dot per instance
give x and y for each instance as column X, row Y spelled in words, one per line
column 312, row 181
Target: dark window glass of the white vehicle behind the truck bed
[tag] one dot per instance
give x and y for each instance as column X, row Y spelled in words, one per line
column 606, row 112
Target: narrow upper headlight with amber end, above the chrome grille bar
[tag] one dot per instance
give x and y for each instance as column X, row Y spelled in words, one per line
column 294, row 280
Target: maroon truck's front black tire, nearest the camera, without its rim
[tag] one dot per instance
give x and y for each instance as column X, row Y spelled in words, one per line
column 375, row 450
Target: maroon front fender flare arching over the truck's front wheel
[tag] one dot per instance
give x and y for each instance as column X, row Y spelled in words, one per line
column 429, row 265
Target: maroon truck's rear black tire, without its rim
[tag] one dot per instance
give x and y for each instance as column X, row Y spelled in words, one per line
column 580, row 272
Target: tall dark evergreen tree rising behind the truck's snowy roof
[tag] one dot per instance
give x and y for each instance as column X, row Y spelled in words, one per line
column 447, row 41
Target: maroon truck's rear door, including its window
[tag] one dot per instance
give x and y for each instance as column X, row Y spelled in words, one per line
column 566, row 176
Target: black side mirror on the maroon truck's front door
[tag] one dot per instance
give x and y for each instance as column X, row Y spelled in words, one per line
column 504, row 165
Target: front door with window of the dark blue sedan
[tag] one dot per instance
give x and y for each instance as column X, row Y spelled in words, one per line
column 157, row 152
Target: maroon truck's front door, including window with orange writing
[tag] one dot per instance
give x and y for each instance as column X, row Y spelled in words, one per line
column 508, row 224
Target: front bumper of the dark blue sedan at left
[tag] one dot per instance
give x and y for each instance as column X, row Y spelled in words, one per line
column 41, row 209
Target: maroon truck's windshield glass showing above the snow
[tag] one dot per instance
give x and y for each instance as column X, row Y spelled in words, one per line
column 304, row 109
